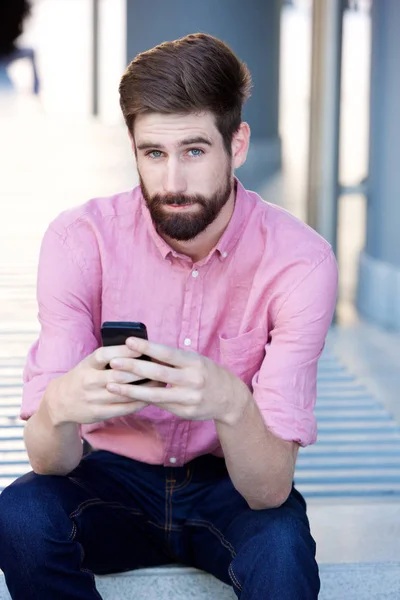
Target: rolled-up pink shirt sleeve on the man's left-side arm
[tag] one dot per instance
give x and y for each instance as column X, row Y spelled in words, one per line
column 65, row 301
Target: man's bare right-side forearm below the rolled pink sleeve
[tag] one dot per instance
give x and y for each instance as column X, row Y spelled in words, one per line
column 260, row 465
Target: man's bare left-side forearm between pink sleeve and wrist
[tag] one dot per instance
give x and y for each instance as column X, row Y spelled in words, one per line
column 53, row 448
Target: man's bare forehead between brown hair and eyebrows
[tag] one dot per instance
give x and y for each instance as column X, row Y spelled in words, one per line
column 158, row 127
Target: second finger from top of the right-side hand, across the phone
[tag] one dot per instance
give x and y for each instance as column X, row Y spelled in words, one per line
column 149, row 370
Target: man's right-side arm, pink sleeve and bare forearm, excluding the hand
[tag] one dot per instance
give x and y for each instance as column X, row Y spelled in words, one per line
column 260, row 440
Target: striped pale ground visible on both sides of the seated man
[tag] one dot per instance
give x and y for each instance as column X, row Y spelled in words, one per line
column 358, row 448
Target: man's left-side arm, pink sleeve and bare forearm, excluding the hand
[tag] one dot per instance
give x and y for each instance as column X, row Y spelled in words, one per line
column 66, row 337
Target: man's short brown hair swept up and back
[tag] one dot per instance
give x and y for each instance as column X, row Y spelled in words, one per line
column 195, row 73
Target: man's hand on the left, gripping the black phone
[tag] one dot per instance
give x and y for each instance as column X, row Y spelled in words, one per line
column 81, row 395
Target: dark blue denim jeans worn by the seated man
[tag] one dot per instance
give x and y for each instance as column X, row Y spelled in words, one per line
column 113, row 514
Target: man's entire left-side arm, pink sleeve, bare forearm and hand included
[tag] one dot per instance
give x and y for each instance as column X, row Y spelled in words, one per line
column 65, row 376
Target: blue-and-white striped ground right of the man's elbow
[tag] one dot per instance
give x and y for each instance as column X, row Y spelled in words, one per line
column 358, row 449
